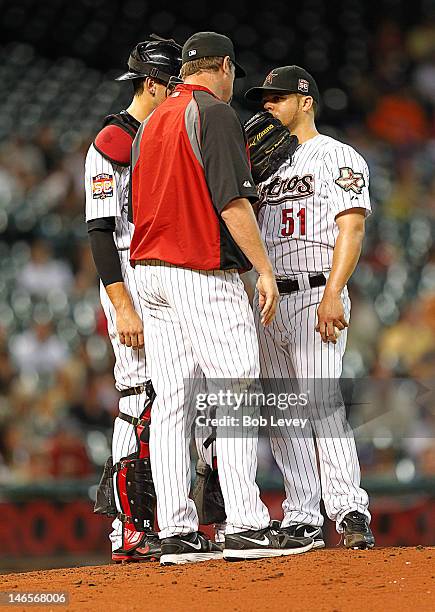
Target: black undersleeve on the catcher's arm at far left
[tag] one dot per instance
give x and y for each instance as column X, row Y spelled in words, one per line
column 104, row 250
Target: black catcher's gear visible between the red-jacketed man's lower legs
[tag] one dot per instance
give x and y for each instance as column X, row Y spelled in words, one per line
column 207, row 495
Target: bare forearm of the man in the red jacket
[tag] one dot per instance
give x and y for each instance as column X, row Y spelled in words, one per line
column 242, row 225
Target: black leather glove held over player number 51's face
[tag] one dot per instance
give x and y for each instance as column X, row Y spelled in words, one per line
column 270, row 145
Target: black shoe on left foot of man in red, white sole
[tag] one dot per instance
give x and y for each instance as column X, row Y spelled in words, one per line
column 188, row 548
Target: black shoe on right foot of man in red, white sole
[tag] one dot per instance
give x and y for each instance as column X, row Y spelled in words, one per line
column 263, row 543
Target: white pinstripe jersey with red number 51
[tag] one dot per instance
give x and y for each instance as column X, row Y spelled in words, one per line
column 299, row 204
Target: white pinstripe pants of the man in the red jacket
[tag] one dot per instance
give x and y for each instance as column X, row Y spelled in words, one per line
column 197, row 323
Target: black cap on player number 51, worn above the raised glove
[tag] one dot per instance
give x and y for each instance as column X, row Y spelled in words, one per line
column 285, row 80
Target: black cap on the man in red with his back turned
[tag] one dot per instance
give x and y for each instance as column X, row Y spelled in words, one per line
column 210, row 44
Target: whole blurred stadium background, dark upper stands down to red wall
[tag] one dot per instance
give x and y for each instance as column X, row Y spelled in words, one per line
column 375, row 66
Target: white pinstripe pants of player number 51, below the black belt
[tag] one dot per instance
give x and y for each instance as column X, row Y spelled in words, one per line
column 290, row 348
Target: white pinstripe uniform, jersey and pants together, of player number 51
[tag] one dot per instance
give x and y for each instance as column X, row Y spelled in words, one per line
column 297, row 219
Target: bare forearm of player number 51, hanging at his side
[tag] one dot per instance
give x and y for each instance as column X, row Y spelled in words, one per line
column 347, row 251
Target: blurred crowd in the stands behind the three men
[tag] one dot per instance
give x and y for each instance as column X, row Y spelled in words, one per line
column 57, row 399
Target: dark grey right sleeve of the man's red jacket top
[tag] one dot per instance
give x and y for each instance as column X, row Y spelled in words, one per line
column 225, row 157
